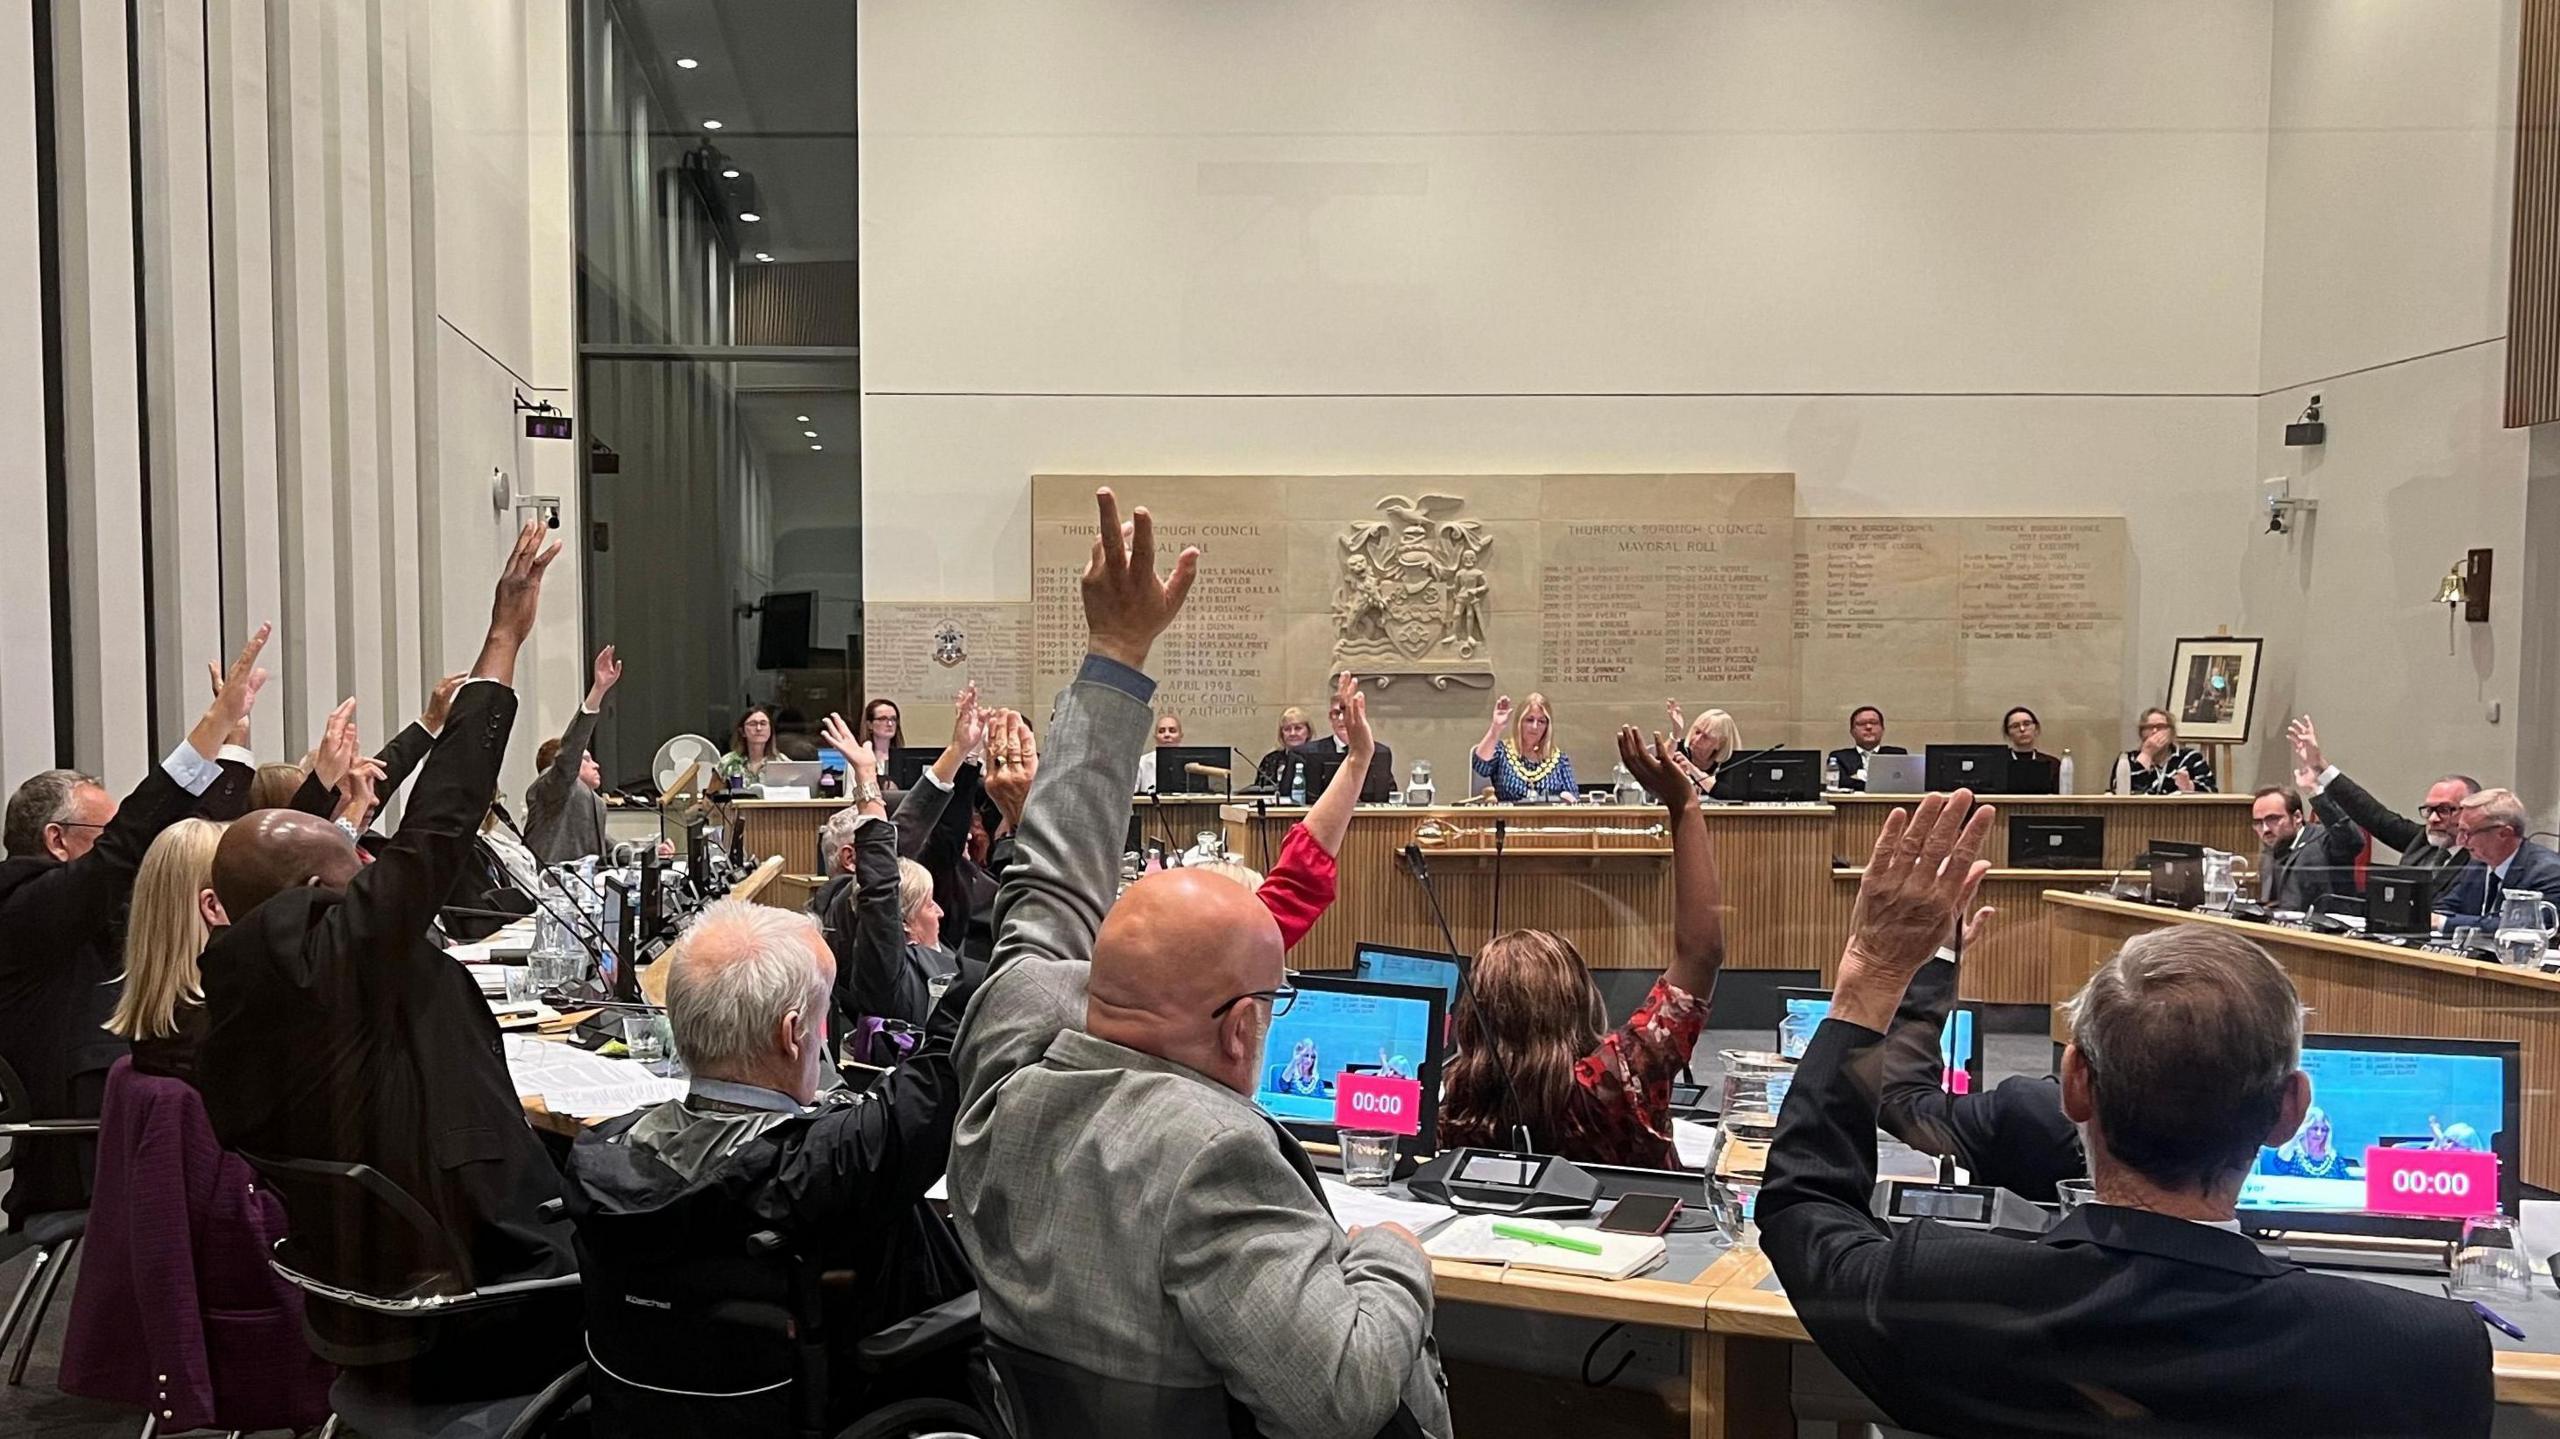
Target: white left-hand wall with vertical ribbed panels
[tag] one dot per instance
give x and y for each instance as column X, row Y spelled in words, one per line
column 352, row 252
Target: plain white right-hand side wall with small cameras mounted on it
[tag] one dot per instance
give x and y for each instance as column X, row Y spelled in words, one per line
column 2390, row 170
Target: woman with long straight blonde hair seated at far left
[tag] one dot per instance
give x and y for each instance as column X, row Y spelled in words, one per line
column 168, row 928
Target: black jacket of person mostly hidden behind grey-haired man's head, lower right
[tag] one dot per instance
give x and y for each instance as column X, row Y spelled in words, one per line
column 2011, row 1136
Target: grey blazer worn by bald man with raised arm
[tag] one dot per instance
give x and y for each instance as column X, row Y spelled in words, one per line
column 1128, row 1215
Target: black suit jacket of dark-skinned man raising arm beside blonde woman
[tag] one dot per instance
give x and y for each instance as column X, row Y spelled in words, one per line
column 337, row 1033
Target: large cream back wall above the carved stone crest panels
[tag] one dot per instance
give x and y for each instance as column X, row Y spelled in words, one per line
column 1932, row 257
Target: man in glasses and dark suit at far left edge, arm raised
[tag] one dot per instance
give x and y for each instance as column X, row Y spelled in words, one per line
column 70, row 867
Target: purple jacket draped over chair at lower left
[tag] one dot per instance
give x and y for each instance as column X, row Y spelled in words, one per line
column 178, row 1310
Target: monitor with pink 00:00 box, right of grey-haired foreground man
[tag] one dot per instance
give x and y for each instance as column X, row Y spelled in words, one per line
column 2385, row 1105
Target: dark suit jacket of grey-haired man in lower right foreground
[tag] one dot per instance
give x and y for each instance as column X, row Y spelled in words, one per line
column 2116, row 1322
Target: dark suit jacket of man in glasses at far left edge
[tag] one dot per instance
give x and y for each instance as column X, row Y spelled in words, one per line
column 63, row 936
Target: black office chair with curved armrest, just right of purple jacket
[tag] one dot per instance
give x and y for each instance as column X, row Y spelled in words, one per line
column 380, row 1282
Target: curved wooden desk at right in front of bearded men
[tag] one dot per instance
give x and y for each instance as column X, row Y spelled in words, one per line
column 2359, row 987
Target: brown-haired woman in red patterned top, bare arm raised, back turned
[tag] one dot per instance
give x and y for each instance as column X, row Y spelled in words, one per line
column 1532, row 1038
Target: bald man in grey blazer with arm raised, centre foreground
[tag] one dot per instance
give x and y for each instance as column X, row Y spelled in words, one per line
column 1128, row 1207
